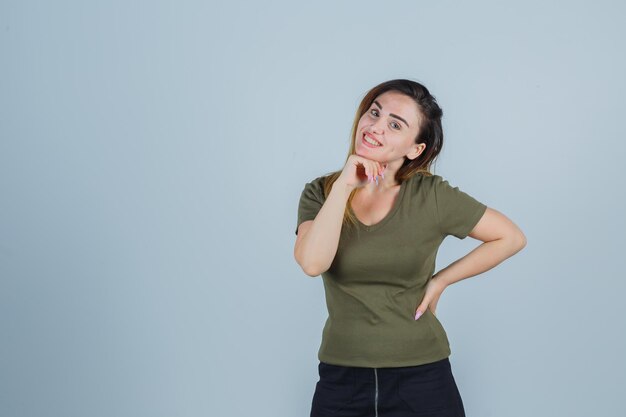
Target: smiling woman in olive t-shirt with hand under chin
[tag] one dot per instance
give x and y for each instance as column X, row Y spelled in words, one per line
column 372, row 230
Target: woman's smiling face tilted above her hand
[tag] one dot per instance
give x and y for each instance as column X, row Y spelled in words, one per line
column 393, row 121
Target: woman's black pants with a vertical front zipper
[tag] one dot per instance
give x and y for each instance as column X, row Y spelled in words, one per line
column 427, row 390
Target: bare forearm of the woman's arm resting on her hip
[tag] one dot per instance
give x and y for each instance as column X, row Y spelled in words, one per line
column 481, row 259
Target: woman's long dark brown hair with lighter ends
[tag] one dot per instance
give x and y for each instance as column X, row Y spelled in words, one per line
column 430, row 133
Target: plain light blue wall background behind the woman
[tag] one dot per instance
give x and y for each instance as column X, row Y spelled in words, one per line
column 152, row 155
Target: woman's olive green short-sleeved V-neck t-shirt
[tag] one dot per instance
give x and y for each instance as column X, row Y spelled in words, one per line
column 379, row 275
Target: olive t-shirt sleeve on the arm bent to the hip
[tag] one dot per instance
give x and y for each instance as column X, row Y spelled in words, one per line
column 457, row 211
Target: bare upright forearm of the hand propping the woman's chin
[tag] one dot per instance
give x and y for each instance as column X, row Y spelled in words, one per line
column 318, row 247
